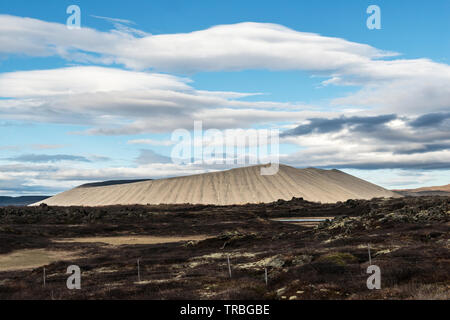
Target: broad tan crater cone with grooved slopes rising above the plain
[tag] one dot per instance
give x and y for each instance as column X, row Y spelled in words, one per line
column 235, row 186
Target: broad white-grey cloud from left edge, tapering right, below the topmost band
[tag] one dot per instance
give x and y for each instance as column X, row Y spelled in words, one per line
column 115, row 101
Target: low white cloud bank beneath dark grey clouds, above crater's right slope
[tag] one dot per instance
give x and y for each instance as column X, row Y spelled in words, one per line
column 344, row 150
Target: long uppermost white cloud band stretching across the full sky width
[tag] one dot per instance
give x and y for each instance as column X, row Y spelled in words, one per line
column 406, row 85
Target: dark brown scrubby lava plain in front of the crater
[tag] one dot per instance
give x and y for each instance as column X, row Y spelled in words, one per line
column 183, row 250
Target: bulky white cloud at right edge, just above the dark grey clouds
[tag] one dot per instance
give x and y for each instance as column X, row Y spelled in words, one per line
column 404, row 86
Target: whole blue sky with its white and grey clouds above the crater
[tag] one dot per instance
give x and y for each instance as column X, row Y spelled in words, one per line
column 299, row 63
